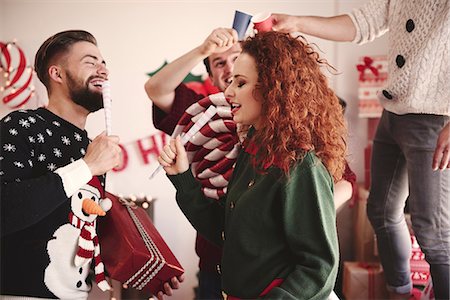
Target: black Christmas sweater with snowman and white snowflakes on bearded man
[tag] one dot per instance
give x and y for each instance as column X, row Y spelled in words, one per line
column 35, row 223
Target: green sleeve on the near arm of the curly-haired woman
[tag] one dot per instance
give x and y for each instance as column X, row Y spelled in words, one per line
column 310, row 231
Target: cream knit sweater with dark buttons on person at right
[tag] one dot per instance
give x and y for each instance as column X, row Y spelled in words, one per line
column 419, row 77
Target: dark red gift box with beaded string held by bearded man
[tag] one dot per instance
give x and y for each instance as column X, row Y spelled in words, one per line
column 132, row 250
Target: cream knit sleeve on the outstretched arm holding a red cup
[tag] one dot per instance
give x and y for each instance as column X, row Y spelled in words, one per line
column 371, row 21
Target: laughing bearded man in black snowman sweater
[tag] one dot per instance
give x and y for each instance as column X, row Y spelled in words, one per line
column 47, row 163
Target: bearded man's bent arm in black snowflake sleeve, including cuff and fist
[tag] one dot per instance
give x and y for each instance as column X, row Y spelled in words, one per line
column 28, row 194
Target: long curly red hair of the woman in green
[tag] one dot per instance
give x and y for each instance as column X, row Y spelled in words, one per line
column 301, row 112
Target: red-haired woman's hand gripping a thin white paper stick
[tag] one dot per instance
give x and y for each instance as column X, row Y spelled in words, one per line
column 173, row 158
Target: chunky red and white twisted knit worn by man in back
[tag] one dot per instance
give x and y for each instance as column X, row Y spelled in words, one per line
column 213, row 150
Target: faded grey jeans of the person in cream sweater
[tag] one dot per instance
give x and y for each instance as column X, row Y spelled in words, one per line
column 401, row 165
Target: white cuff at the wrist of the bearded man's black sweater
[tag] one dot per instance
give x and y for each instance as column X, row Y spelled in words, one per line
column 74, row 176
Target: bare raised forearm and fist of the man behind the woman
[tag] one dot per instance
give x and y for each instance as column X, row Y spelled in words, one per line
column 161, row 87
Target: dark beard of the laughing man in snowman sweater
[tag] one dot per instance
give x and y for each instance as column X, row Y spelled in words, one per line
column 82, row 95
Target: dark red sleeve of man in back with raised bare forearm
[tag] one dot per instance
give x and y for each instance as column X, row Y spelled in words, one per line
column 184, row 97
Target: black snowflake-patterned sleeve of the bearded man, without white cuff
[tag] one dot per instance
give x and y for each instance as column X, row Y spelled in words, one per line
column 25, row 198
